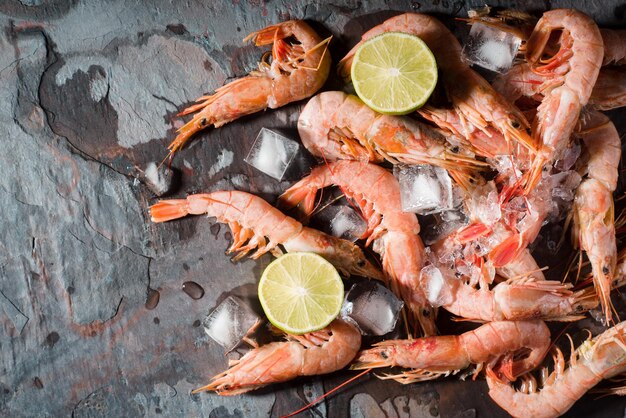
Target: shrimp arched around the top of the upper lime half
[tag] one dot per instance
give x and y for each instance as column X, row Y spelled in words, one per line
column 477, row 105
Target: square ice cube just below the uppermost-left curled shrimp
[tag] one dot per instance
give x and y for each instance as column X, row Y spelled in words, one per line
column 272, row 153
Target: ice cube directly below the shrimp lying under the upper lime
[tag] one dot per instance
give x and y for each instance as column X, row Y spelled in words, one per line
column 424, row 189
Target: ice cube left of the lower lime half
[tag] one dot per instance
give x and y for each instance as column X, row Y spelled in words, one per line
column 229, row 322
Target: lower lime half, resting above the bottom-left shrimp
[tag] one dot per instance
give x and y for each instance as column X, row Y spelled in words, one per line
column 300, row 292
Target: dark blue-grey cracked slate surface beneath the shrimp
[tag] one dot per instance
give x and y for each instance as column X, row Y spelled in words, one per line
column 88, row 97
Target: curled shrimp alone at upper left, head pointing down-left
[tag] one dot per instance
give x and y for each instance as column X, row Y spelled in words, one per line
column 299, row 67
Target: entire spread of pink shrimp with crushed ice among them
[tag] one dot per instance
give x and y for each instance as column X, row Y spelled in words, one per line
column 528, row 149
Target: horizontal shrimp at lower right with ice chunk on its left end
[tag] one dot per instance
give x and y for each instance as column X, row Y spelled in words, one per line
column 515, row 299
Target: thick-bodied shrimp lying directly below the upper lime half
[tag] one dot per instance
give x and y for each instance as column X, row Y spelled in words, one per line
column 335, row 125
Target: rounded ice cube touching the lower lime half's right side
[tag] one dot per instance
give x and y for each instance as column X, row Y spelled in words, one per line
column 372, row 307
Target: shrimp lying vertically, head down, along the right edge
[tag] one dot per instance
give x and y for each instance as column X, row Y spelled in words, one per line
column 594, row 217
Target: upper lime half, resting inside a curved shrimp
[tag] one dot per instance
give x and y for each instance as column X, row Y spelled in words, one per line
column 394, row 73
